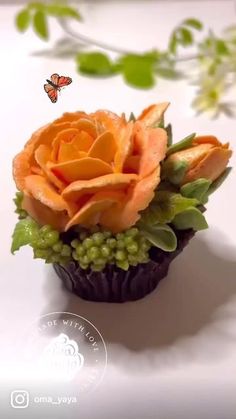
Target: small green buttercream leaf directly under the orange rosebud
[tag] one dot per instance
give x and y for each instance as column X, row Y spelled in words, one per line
column 197, row 189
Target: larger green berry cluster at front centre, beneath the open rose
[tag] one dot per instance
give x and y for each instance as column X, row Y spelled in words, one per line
column 101, row 248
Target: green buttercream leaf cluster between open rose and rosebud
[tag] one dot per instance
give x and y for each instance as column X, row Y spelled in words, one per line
column 178, row 207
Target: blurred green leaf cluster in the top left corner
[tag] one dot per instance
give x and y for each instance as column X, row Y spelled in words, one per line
column 36, row 14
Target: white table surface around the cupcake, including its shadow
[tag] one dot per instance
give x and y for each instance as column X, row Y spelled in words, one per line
column 171, row 355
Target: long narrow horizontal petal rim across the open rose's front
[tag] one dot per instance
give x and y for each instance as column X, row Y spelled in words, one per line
column 114, row 181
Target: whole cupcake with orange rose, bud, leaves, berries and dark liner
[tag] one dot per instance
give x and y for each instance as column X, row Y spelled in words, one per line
column 110, row 201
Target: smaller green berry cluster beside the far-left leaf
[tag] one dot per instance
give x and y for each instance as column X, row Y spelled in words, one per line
column 47, row 245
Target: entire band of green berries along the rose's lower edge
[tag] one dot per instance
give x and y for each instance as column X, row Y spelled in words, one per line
column 91, row 249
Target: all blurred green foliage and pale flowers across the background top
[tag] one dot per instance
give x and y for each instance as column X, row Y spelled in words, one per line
column 215, row 57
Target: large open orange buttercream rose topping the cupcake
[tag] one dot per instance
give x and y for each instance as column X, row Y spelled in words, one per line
column 92, row 169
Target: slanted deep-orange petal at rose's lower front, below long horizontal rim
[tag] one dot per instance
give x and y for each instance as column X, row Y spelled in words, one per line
column 90, row 213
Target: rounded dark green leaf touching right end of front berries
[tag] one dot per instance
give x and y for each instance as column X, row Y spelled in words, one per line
column 161, row 236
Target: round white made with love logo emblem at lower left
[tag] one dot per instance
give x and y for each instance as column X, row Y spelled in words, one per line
column 66, row 348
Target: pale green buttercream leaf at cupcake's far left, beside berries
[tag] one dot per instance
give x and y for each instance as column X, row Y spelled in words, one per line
column 25, row 231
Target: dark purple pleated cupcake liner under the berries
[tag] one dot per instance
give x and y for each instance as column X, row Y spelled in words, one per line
column 115, row 285
